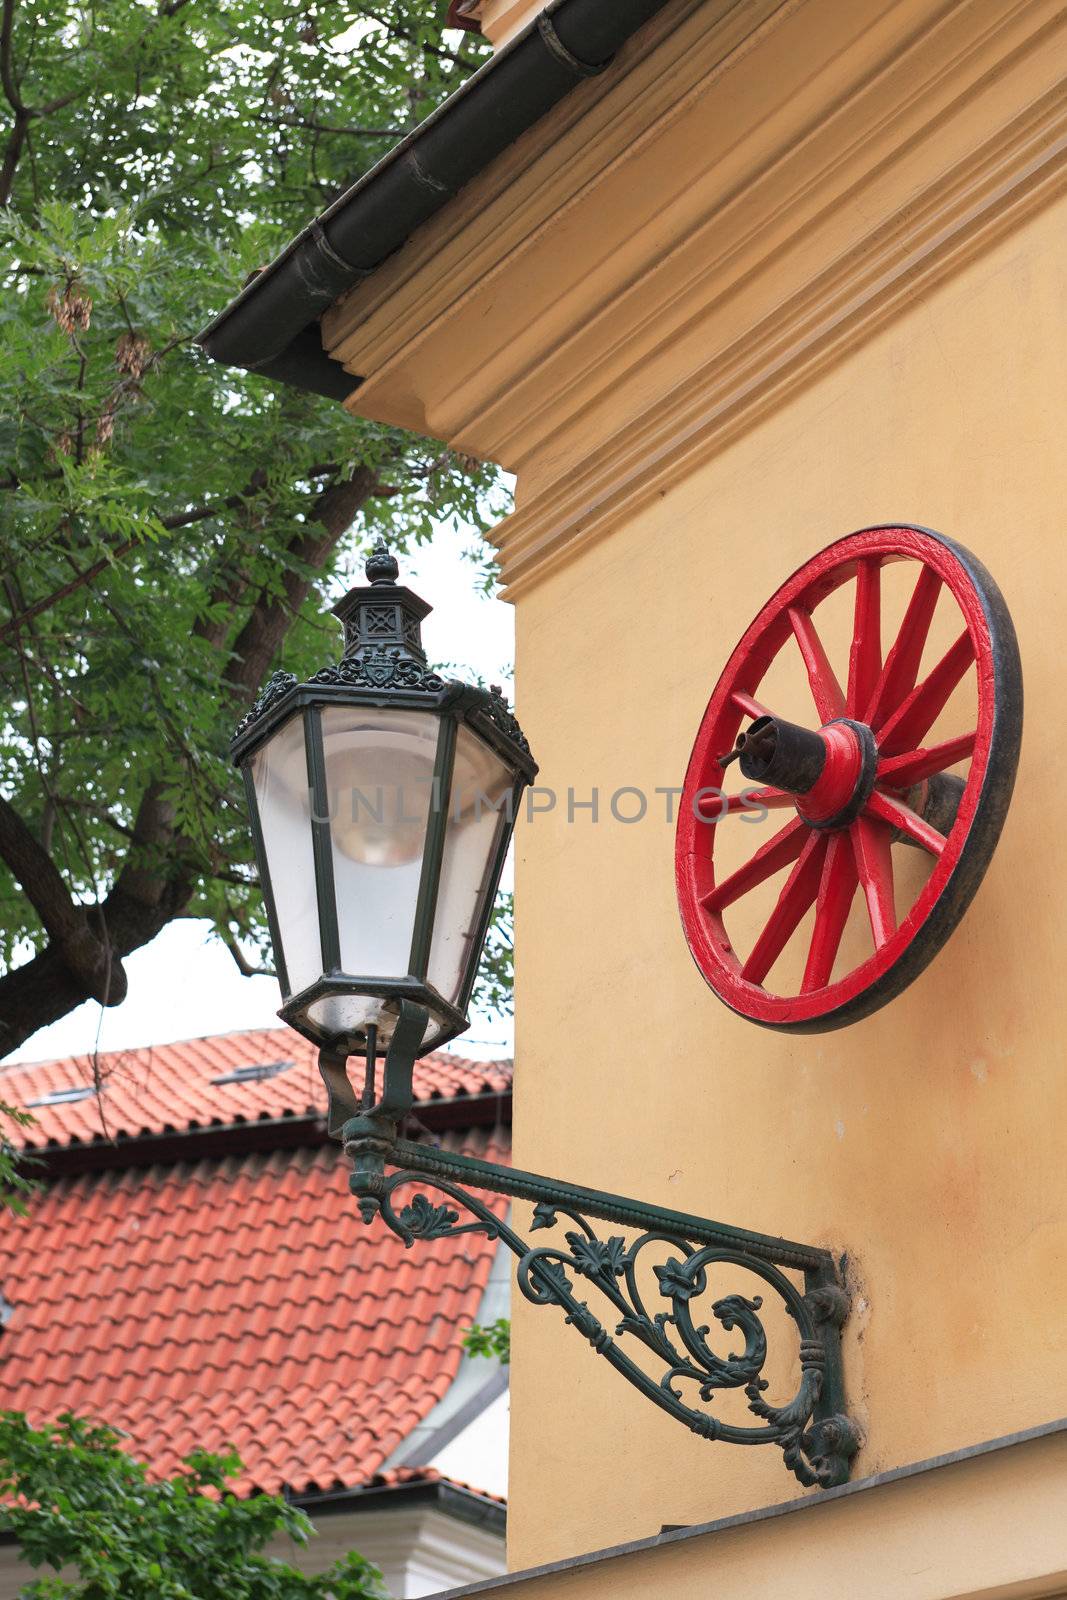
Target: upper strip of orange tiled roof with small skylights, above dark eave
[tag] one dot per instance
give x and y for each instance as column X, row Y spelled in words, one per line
column 174, row 1087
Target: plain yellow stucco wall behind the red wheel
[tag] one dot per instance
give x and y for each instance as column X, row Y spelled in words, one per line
column 925, row 1142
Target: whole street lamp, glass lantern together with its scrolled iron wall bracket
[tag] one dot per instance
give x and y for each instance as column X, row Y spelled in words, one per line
column 383, row 801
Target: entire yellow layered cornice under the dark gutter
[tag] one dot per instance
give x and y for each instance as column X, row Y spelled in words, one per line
column 791, row 177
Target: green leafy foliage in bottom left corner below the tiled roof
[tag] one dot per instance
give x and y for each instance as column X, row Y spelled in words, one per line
column 78, row 1503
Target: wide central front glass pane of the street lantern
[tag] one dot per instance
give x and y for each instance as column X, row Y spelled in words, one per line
column 380, row 782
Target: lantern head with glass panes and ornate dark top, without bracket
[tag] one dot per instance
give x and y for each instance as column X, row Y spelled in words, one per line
column 383, row 802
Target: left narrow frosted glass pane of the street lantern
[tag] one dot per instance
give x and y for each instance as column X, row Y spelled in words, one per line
column 279, row 772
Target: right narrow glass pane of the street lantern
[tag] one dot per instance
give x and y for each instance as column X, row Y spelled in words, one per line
column 479, row 814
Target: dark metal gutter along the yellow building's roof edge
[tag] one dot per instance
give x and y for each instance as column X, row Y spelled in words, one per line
column 273, row 326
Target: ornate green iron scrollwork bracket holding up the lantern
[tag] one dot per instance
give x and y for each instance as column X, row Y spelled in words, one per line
column 812, row 1428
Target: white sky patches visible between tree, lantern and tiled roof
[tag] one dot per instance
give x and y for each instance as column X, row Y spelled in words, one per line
column 185, row 985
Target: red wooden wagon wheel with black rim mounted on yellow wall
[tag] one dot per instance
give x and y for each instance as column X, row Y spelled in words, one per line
column 841, row 799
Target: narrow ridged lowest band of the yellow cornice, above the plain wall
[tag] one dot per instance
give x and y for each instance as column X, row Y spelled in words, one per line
column 836, row 314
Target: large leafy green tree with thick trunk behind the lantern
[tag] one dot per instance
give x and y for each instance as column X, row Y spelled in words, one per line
column 167, row 524
